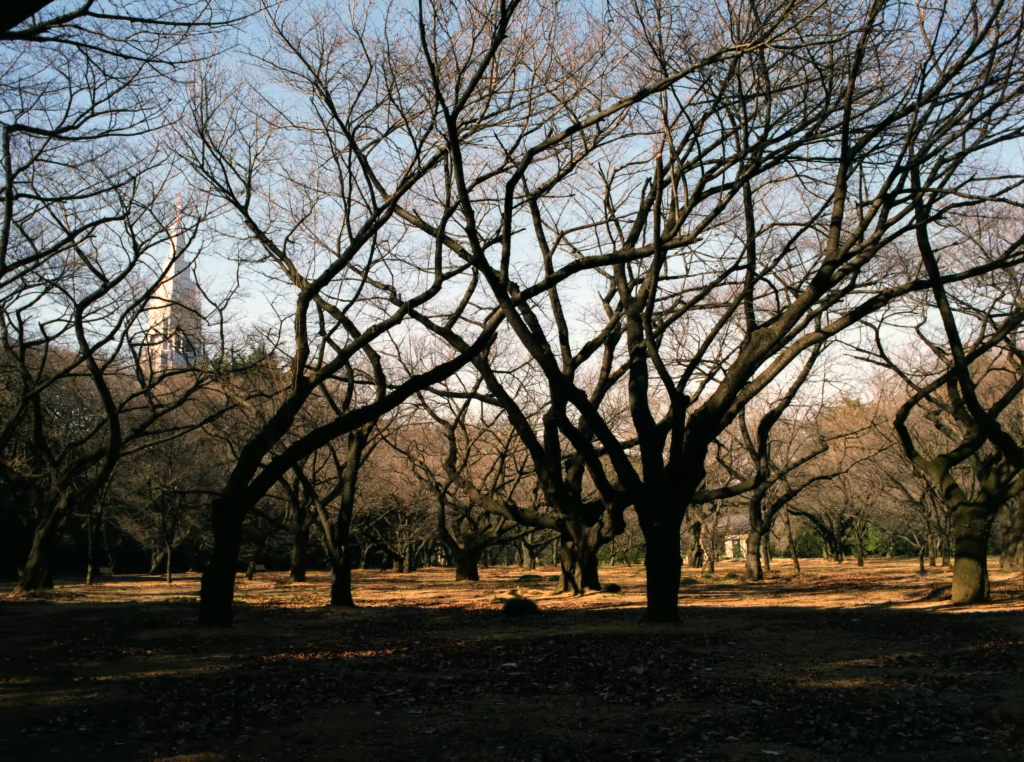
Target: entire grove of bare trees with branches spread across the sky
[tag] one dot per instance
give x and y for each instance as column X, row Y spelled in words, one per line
column 487, row 276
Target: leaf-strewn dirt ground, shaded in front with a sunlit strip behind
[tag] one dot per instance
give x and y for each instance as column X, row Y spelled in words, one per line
column 840, row 663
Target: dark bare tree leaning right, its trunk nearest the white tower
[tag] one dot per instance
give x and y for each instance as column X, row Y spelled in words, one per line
column 315, row 187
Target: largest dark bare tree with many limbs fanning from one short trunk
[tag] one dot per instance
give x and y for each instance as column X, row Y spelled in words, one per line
column 712, row 282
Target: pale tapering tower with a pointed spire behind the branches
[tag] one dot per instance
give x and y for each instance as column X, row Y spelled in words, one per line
column 175, row 332
